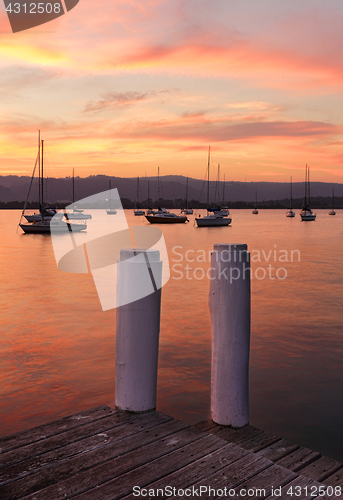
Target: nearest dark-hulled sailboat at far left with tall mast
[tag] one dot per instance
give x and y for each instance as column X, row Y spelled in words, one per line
column 47, row 219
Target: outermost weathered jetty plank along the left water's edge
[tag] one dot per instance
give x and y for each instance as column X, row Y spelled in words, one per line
column 25, row 437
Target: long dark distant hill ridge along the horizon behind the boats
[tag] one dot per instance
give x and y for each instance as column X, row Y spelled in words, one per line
column 172, row 187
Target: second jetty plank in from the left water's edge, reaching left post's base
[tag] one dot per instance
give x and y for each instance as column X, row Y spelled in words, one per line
column 70, row 436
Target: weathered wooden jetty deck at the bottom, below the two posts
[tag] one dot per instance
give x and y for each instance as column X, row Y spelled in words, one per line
column 103, row 453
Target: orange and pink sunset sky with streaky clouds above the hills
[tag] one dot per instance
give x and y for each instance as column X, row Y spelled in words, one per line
column 122, row 87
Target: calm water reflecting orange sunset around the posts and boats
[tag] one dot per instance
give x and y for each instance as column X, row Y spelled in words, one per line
column 57, row 345
